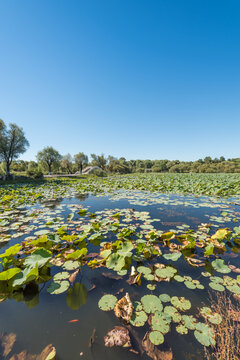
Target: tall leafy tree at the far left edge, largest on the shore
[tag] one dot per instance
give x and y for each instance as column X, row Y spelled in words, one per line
column 12, row 143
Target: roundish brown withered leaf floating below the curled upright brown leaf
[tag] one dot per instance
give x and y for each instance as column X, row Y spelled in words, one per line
column 118, row 336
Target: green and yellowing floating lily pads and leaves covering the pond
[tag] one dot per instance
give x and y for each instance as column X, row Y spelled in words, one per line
column 151, row 267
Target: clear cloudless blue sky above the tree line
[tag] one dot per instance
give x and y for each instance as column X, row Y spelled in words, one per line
column 133, row 78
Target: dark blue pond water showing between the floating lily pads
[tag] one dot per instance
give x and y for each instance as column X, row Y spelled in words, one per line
column 67, row 320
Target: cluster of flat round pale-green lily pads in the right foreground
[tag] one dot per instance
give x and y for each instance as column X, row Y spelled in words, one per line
column 153, row 309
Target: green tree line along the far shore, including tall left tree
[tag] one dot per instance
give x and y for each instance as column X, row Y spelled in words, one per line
column 13, row 143
